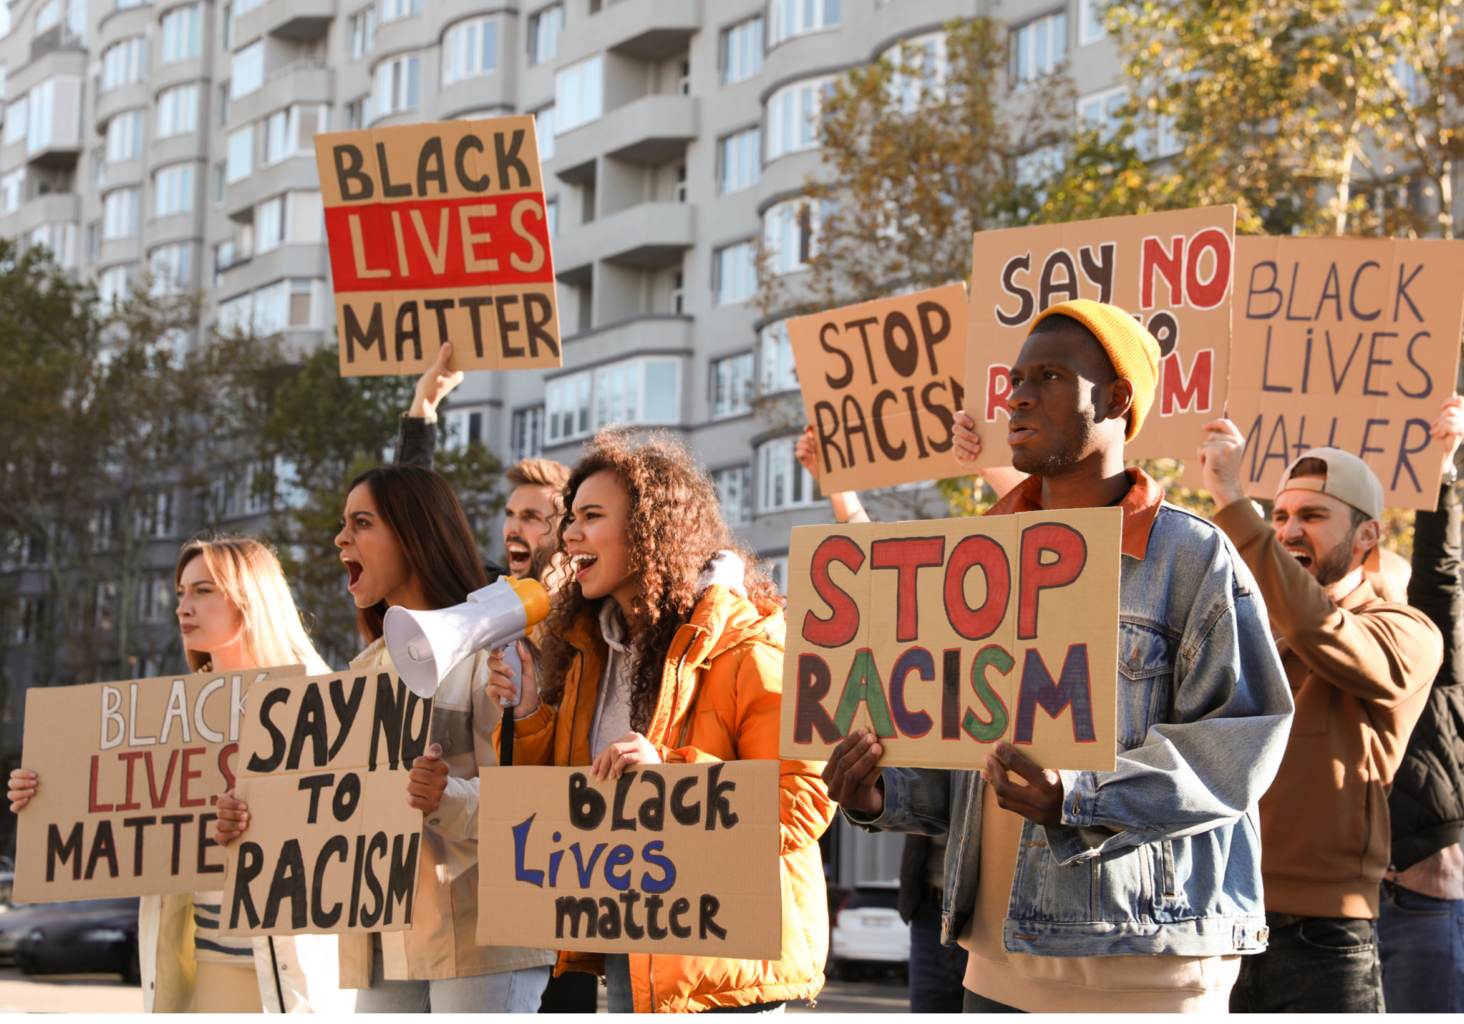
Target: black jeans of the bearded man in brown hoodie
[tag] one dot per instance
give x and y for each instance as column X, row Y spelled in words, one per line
column 1312, row 966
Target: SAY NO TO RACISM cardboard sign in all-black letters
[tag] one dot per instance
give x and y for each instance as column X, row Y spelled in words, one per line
column 333, row 845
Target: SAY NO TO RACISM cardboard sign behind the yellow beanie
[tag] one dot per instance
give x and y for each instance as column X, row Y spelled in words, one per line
column 1172, row 272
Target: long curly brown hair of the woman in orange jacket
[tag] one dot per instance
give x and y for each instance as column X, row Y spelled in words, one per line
column 676, row 531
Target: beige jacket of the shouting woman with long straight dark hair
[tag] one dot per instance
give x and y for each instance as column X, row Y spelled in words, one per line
column 441, row 943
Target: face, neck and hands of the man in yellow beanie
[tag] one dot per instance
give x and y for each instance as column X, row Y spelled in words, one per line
column 1069, row 418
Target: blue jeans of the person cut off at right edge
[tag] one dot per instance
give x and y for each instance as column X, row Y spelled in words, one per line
column 1422, row 946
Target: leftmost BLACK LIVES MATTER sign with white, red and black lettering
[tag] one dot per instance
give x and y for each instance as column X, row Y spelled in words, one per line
column 127, row 812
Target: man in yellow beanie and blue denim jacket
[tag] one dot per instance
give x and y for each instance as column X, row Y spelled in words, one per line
column 1132, row 890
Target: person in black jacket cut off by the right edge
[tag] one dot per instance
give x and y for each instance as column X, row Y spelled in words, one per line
column 1419, row 940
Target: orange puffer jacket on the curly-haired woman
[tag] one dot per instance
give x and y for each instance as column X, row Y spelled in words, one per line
column 720, row 701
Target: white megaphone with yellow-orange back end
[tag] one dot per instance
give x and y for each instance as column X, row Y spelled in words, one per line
column 427, row 645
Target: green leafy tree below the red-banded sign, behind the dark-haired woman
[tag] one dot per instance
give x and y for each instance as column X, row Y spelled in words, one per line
column 321, row 431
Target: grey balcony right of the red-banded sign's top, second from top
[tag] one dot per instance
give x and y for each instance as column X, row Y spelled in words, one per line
column 646, row 131
